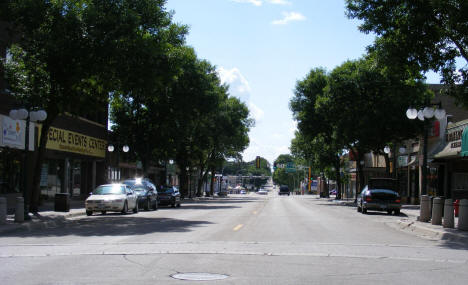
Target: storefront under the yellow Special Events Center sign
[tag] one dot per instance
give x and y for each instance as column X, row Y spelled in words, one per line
column 75, row 158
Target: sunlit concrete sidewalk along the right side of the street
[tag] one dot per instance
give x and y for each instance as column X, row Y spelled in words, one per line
column 411, row 224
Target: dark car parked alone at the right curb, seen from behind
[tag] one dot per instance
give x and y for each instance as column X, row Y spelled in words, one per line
column 379, row 200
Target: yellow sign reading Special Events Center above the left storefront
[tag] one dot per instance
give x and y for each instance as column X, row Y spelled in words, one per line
column 64, row 140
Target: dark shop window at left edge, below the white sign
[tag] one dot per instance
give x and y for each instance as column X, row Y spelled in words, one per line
column 10, row 171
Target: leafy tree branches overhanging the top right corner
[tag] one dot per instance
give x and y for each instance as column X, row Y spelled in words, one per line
column 426, row 34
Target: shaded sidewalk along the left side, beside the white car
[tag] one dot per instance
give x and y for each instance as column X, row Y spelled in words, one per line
column 46, row 217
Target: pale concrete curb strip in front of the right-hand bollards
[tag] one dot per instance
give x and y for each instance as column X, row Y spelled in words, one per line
column 429, row 231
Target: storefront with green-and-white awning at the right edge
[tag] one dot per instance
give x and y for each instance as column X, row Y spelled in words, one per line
column 454, row 161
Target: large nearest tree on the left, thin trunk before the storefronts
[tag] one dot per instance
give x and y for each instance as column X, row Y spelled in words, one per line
column 69, row 55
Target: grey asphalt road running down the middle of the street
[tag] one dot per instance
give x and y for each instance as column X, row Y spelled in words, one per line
column 251, row 239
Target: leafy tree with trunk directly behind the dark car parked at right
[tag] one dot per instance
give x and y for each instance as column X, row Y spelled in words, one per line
column 368, row 104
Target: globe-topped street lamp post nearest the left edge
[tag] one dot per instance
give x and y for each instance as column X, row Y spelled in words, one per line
column 29, row 116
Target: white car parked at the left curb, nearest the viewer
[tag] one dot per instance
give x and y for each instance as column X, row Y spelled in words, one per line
column 112, row 197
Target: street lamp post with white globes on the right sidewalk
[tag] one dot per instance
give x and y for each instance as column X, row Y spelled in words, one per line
column 423, row 114
